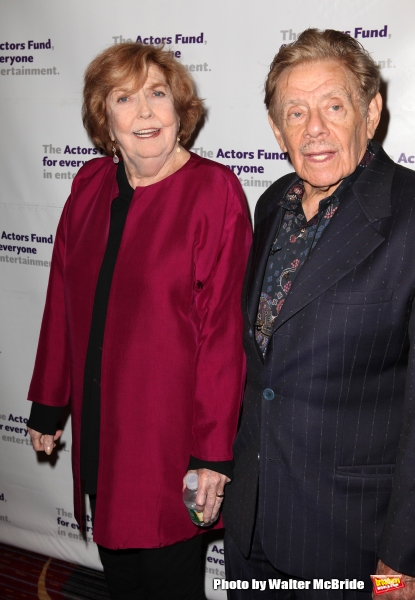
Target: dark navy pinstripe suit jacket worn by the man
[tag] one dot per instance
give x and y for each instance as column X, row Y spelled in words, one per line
column 334, row 484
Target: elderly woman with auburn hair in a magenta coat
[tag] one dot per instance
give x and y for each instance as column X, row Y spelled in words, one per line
column 142, row 324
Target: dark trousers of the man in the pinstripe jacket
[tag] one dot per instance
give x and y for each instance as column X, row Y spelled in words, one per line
column 257, row 567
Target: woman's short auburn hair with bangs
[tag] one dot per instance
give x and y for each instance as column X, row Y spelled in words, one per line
column 126, row 63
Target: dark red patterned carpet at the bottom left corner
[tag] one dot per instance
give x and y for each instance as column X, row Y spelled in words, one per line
column 26, row 575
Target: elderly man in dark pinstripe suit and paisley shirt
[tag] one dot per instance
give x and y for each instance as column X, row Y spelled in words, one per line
column 324, row 486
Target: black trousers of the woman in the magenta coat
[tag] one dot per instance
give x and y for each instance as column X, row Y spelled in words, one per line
column 168, row 573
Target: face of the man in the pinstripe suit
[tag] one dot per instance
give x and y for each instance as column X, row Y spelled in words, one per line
column 320, row 122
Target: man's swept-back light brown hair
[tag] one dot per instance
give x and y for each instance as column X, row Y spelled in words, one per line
column 313, row 45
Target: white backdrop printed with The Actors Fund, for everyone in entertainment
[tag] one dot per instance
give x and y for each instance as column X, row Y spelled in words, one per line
column 227, row 45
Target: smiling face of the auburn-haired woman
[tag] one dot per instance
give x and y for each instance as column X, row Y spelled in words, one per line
column 144, row 123
